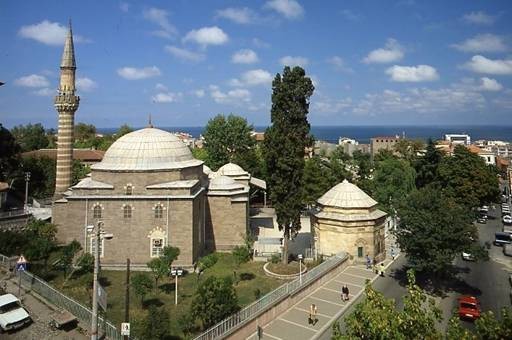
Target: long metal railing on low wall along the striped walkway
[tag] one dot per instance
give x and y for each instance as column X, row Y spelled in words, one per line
column 235, row 321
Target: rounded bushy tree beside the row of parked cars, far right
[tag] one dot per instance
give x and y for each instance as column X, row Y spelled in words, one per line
column 467, row 178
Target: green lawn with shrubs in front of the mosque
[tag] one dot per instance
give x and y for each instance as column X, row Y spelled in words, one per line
column 250, row 275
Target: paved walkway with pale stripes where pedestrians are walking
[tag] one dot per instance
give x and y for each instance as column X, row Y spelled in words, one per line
column 293, row 324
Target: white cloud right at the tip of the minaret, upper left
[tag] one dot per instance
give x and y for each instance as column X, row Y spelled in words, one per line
column 49, row 33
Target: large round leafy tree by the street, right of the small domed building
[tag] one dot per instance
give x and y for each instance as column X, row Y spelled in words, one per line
column 434, row 229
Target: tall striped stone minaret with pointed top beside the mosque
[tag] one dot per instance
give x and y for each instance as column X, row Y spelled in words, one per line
column 66, row 103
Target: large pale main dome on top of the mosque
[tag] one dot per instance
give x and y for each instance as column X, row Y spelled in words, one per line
column 147, row 149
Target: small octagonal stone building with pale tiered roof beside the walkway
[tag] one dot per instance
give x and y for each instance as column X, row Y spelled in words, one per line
column 347, row 219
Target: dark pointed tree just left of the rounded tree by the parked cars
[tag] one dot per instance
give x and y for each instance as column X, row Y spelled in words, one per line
column 427, row 167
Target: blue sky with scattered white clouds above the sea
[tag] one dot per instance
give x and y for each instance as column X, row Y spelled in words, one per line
column 403, row 62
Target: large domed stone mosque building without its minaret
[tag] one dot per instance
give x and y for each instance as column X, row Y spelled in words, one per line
column 150, row 192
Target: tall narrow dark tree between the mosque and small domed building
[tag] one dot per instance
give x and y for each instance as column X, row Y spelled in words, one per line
column 284, row 148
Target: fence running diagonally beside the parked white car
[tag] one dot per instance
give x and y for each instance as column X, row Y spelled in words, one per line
column 33, row 283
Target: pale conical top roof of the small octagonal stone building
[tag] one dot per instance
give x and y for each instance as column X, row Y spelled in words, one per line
column 347, row 195
